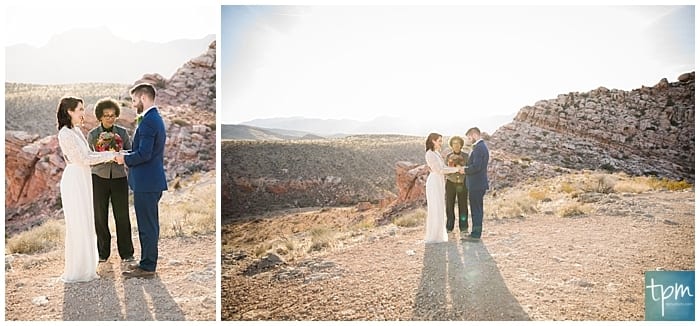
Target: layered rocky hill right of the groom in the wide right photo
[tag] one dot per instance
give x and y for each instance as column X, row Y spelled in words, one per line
column 646, row 131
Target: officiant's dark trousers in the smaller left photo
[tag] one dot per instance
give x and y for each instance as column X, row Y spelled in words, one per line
column 115, row 191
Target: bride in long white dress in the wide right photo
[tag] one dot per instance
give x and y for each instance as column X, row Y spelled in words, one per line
column 435, row 230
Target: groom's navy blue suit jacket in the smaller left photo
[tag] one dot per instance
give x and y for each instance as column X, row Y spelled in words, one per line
column 146, row 170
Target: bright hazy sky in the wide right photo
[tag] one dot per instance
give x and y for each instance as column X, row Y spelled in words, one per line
column 360, row 62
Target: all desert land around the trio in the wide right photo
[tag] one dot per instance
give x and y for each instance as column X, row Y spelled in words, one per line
column 588, row 191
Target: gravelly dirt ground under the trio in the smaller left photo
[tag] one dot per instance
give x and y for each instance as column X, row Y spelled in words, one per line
column 184, row 288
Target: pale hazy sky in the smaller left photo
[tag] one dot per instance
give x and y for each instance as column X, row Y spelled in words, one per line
column 35, row 21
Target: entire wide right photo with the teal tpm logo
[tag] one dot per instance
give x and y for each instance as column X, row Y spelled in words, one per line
column 476, row 163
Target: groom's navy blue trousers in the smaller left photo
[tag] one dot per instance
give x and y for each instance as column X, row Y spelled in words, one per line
column 146, row 205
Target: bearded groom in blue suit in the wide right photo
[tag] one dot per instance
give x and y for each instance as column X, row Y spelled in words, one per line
column 477, row 180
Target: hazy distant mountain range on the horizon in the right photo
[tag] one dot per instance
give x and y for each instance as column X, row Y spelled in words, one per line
column 298, row 127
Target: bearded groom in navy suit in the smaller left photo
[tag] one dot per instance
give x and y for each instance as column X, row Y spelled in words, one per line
column 146, row 176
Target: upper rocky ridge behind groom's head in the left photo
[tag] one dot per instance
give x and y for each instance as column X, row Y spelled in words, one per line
column 193, row 85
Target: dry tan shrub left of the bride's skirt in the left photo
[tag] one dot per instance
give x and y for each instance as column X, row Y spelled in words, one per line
column 43, row 238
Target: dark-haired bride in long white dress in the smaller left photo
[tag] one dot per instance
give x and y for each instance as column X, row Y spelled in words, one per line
column 76, row 193
